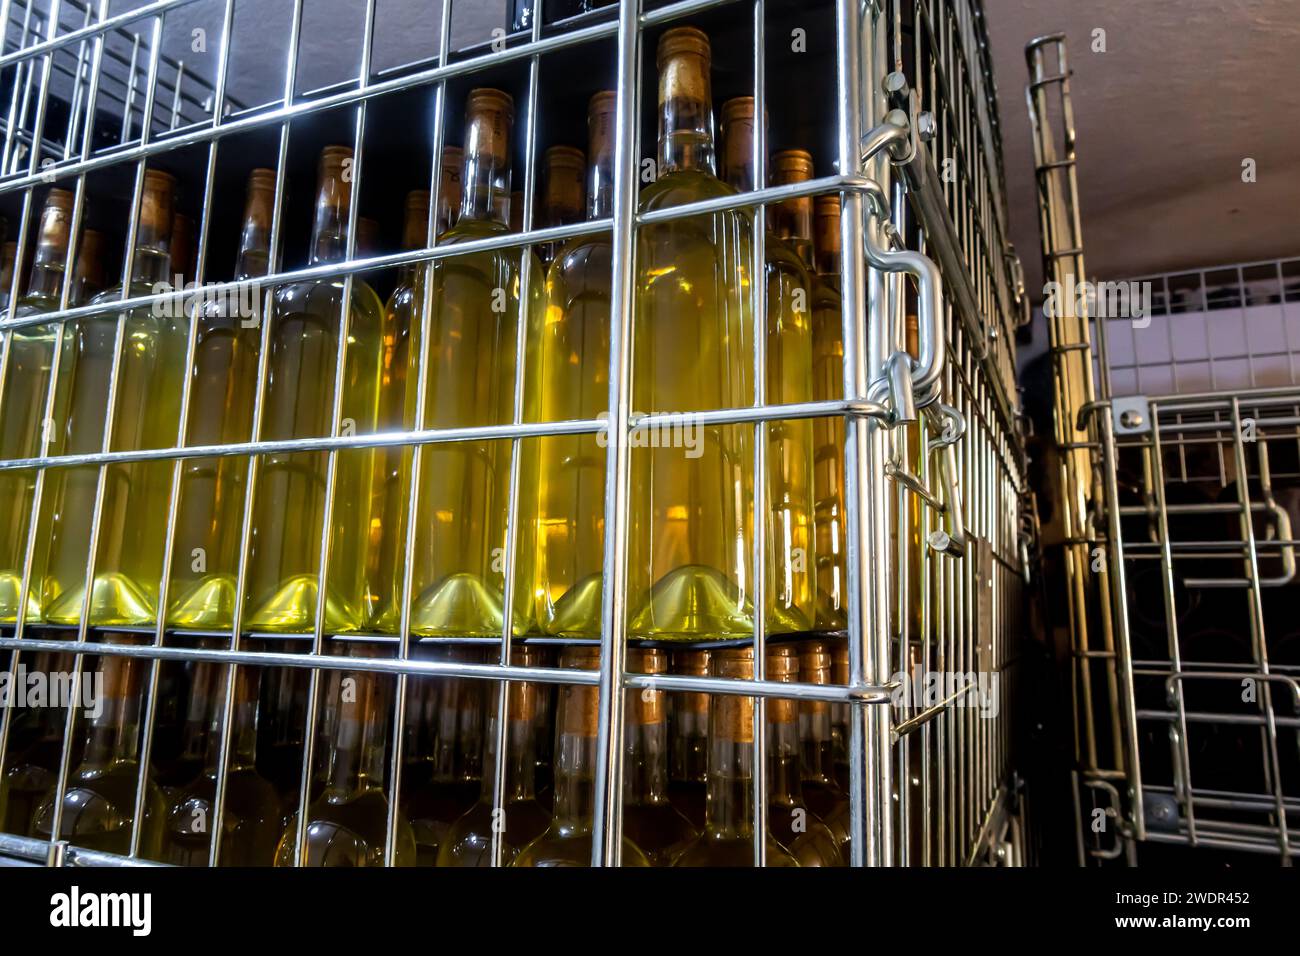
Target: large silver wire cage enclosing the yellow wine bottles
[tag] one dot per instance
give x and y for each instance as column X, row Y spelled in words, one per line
column 933, row 440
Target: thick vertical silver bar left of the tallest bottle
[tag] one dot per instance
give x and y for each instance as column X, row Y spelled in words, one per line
column 606, row 817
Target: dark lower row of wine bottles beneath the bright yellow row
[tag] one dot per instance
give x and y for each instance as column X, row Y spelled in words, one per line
column 688, row 763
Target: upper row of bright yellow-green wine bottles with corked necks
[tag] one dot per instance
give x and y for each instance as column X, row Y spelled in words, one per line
column 692, row 488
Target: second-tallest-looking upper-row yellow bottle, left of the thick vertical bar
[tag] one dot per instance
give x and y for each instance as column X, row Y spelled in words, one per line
column 460, row 544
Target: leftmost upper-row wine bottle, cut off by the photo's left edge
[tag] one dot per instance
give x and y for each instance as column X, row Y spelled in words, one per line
column 23, row 405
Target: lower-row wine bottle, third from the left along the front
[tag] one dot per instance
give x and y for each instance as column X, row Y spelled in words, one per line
column 348, row 824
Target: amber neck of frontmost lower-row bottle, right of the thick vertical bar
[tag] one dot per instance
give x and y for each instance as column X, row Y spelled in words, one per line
column 730, row 810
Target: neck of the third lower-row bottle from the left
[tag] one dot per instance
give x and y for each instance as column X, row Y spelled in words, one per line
column 356, row 762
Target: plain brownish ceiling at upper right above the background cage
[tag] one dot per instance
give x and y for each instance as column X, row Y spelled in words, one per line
column 1185, row 92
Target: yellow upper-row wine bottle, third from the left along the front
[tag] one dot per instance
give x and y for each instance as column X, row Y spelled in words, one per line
column 210, row 508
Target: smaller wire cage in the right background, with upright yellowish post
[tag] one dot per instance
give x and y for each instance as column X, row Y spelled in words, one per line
column 1176, row 524
